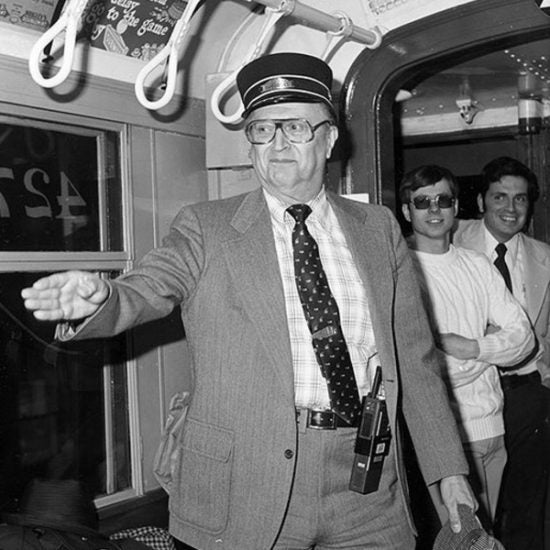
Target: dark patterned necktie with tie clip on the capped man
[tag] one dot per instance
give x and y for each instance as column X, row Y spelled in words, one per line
column 323, row 318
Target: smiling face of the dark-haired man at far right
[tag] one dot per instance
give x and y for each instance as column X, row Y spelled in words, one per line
column 505, row 207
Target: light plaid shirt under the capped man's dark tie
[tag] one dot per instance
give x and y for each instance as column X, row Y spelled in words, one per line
column 346, row 286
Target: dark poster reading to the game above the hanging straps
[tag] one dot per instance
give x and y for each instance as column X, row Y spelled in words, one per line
column 135, row 28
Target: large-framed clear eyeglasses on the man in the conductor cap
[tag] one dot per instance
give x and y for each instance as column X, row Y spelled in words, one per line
column 296, row 130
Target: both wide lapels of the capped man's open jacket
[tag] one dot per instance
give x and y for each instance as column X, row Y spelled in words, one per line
column 253, row 265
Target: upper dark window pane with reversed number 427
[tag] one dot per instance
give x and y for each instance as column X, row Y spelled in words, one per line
column 57, row 188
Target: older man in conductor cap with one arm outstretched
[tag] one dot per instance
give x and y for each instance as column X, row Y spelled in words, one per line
column 291, row 298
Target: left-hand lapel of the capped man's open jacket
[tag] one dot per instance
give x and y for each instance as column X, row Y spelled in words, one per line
column 254, row 268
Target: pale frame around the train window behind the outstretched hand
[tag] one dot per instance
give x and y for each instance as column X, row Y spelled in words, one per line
column 98, row 261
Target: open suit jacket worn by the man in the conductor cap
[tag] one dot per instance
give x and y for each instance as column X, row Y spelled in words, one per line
column 240, row 437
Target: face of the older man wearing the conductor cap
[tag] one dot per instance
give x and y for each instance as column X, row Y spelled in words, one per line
column 294, row 172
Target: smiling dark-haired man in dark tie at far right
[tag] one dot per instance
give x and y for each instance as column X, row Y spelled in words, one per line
column 506, row 199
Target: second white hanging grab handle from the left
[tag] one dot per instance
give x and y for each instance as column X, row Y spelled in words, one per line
column 169, row 51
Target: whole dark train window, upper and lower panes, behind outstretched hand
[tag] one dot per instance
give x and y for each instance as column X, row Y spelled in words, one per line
column 63, row 407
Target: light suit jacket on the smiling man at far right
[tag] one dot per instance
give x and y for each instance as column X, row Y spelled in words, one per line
column 471, row 234
